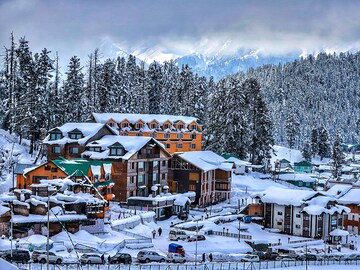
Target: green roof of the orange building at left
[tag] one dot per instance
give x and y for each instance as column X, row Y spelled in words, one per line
column 69, row 166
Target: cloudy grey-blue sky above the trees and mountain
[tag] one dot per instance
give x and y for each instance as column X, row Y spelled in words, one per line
column 175, row 28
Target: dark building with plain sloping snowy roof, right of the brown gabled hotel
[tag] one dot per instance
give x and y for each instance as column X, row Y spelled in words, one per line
column 204, row 172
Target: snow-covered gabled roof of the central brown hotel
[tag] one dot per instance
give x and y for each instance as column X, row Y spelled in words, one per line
column 131, row 144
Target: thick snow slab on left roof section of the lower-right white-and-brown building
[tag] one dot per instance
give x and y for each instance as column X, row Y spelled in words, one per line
column 283, row 196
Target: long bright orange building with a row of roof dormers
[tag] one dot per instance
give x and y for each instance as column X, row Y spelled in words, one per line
column 176, row 133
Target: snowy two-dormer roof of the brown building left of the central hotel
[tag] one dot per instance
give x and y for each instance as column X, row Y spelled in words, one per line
column 88, row 130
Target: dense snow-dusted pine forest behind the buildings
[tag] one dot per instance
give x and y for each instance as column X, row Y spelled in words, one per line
column 297, row 104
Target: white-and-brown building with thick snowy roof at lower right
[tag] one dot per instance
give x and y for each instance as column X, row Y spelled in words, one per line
column 301, row 212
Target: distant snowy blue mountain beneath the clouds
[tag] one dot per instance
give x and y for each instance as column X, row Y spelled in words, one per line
column 221, row 66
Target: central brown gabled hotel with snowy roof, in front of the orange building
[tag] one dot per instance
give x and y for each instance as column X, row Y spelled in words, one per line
column 138, row 164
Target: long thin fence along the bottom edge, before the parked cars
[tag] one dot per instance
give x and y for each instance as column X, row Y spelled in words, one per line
column 191, row 266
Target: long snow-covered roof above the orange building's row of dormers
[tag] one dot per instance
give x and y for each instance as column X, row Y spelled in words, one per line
column 147, row 118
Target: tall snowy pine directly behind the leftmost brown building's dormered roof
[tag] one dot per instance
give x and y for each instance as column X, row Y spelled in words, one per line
column 73, row 91
